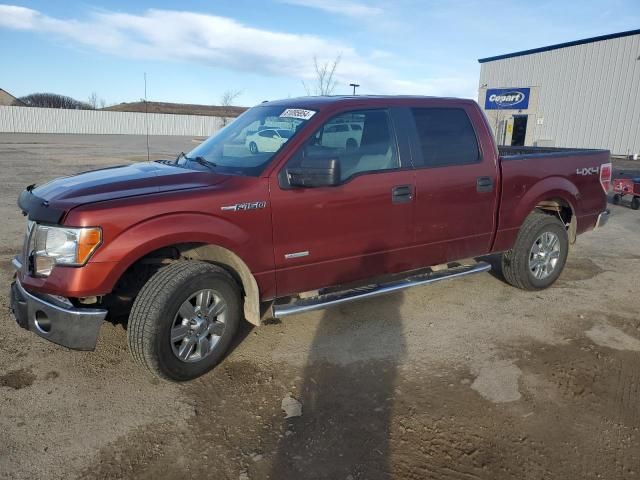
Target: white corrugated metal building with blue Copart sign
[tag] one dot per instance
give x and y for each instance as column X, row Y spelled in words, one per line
column 578, row 94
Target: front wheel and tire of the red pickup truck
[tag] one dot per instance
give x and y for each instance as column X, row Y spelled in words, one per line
column 160, row 310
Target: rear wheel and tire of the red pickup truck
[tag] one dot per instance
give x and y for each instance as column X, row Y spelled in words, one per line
column 539, row 254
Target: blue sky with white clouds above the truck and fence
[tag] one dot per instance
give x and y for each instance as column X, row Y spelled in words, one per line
column 193, row 51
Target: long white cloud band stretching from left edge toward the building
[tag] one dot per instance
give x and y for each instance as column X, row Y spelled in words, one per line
column 223, row 42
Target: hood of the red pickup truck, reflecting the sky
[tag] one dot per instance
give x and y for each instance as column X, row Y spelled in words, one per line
column 49, row 202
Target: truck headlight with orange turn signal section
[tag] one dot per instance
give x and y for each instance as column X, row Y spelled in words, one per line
column 62, row 246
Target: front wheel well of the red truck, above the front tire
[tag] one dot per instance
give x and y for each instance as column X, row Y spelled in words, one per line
column 144, row 268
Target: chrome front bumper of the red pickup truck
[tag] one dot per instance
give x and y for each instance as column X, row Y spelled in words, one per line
column 71, row 327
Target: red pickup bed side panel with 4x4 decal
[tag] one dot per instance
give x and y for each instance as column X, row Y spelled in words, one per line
column 528, row 180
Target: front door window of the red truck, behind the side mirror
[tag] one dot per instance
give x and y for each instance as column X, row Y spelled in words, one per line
column 363, row 141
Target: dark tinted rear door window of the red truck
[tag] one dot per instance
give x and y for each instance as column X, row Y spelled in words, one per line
column 446, row 137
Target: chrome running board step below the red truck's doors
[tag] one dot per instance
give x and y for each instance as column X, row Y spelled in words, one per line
column 368, row 291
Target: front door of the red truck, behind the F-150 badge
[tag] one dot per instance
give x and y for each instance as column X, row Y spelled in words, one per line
column 334, row 235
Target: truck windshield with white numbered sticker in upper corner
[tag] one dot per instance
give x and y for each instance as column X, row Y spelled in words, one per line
column 247, row 145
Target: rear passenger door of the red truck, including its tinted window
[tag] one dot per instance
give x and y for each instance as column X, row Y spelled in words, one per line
column 456, row 184
